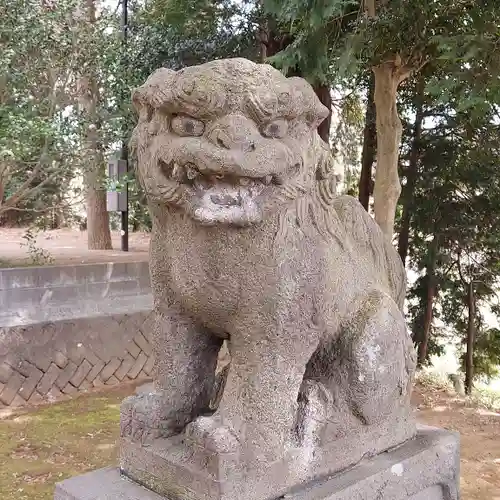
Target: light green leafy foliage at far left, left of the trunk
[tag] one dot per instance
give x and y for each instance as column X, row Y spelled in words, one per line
column 36, row 140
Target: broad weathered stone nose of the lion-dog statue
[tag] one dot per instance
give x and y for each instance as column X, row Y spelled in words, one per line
column 234, row 132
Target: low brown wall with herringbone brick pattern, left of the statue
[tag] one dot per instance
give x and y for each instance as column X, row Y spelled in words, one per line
column 50, row 361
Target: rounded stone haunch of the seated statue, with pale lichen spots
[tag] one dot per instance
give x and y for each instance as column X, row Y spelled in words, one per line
column 376, row 360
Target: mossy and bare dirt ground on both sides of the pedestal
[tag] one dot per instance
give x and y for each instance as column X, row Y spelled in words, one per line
column 42, row 446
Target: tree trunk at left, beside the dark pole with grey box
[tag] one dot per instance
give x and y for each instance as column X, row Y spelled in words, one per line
column 98, row 232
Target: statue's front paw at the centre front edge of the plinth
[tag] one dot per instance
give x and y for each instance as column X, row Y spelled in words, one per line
column 211, row 434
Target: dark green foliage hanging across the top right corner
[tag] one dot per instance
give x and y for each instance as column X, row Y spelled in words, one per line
column 334, row 38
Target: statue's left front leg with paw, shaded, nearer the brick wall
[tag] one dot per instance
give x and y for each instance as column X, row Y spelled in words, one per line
column 185, row 361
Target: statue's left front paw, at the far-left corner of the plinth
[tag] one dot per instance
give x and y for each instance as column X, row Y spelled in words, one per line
column 142, row 419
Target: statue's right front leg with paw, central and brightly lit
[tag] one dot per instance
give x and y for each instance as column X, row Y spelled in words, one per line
column 257, row 413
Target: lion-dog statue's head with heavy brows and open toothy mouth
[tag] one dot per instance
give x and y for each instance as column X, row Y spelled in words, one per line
column 229, row 141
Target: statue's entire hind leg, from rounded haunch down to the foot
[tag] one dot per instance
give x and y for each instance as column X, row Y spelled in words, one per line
column 359, row 376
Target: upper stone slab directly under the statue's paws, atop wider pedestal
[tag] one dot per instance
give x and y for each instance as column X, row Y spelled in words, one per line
column 182, row 469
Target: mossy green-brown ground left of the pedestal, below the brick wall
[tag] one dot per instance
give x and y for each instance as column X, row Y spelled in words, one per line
column 43, row 446
